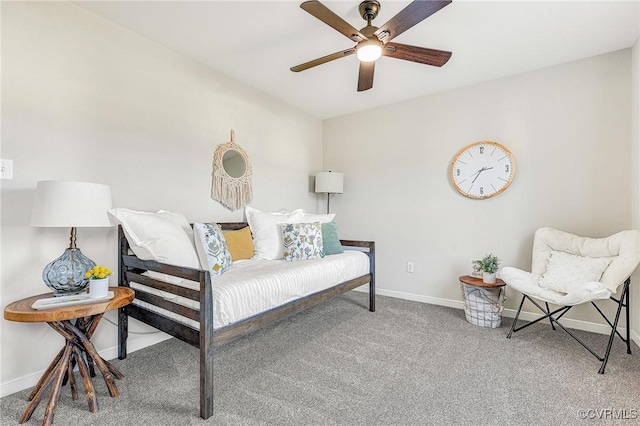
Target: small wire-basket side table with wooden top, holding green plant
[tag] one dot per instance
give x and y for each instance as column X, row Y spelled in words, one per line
column 483, row 303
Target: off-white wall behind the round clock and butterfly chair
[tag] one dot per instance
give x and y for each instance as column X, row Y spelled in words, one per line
column 570, row 131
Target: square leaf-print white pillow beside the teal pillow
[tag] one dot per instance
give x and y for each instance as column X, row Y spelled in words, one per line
column 302, row 241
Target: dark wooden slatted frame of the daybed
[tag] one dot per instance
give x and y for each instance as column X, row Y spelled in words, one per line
column 130, row 268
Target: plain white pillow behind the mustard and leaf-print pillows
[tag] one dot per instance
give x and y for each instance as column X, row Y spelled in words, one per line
column 266, row 231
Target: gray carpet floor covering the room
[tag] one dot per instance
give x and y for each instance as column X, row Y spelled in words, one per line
column 408, row 363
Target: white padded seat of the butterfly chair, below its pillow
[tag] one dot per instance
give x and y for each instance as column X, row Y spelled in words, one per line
column 527, row 283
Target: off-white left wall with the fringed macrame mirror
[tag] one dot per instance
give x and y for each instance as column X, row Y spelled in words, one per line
column 84, row 99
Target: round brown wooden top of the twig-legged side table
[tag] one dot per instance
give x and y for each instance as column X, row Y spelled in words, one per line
column 22, row 311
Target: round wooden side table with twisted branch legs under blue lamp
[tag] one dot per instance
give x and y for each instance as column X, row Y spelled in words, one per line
column 78, row 348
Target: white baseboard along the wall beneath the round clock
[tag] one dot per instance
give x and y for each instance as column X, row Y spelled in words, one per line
column 510, row 313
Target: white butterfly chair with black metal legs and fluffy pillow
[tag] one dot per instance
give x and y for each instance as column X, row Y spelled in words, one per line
column 568, row 270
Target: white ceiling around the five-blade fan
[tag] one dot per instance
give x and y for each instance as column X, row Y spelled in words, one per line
column 256, row 42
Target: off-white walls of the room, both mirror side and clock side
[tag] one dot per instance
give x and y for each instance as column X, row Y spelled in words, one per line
column 79, row 92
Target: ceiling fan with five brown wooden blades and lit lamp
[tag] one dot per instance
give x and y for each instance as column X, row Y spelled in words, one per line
column 373, row 42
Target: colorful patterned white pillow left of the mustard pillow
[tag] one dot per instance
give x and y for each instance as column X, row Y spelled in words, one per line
column 212, row 248
